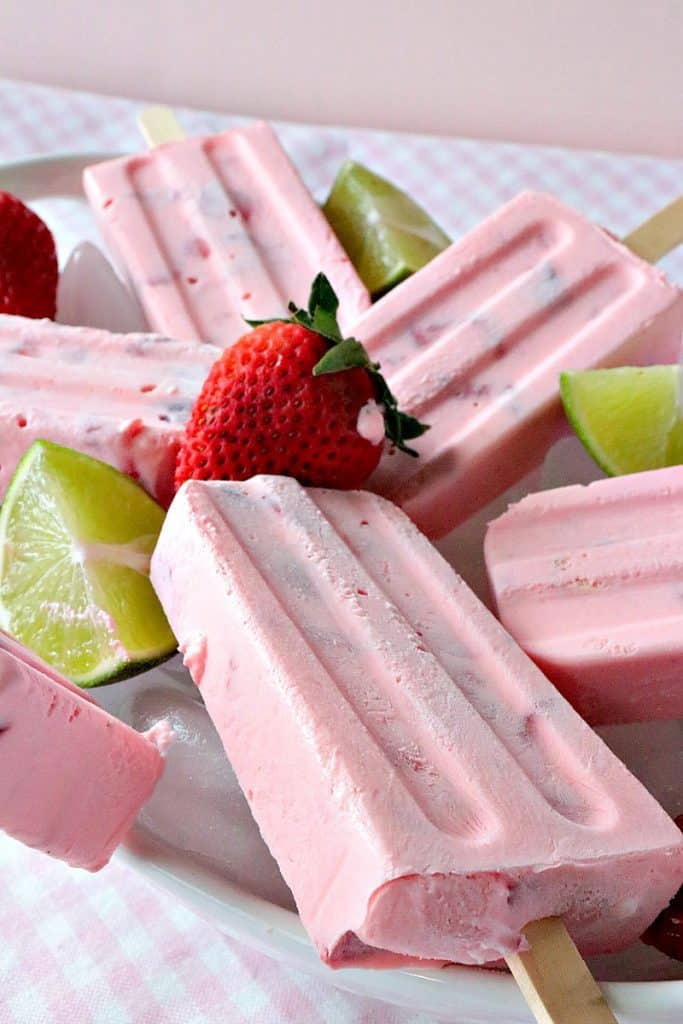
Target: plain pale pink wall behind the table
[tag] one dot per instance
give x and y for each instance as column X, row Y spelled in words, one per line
column 590, row 73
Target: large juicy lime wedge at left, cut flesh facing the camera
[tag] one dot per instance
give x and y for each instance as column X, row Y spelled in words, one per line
column 76, row 538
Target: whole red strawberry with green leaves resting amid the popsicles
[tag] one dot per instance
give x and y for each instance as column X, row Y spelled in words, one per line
column 286, row 400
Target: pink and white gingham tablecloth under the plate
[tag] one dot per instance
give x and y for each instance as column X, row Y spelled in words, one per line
column 110, row 950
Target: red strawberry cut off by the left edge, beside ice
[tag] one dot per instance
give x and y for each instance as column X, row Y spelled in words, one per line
column 28, row 262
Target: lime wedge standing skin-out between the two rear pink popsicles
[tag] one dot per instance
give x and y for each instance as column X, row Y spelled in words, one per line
column 387, row 235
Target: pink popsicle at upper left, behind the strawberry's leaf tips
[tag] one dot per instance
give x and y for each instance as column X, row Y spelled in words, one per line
column 210, row 231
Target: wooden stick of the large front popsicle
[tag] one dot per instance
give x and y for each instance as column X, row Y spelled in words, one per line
column 554, row 979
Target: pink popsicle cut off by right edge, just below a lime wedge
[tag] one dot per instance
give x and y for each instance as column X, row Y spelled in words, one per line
column 589, row 581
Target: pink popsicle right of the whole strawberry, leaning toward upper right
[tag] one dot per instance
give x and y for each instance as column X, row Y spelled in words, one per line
column 474, row 346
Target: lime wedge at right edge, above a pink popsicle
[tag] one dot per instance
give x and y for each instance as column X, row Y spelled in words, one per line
column 628, row 418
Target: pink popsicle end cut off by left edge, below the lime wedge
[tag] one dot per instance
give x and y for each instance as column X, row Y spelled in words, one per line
column 73, row 778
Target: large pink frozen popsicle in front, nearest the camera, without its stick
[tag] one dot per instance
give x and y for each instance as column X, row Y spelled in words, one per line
column 425, row 791
